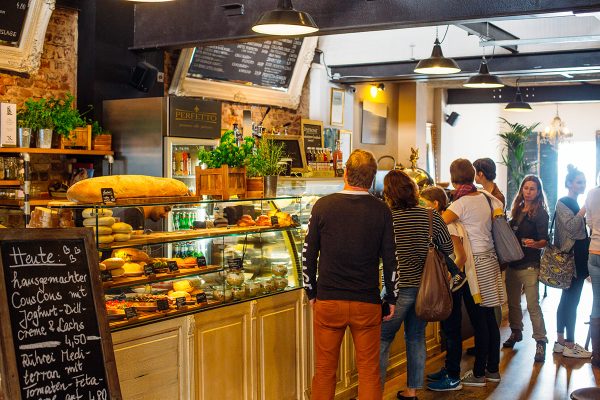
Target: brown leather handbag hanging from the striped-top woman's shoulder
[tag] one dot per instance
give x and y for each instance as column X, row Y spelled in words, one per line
column 434, row 299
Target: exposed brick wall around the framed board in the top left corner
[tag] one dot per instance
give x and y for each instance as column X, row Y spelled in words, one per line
column 58, row 70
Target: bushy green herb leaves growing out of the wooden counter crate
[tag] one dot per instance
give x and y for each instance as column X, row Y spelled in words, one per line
column 227, row 152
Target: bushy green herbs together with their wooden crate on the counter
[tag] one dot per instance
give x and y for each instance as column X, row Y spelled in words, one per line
column 224, row 174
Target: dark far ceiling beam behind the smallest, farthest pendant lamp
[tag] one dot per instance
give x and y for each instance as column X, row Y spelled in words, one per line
column 538, row 94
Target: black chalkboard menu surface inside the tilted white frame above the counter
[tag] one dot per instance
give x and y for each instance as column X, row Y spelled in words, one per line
column 267, row 63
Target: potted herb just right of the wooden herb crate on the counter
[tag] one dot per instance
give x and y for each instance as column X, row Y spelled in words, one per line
column 264, row 165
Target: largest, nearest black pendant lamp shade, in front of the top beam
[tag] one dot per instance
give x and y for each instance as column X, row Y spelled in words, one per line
column 285, row 21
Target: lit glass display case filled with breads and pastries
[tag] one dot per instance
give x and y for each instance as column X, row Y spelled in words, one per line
column 215, row 253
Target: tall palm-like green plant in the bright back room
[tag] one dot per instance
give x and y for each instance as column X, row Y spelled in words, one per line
column 513, row 155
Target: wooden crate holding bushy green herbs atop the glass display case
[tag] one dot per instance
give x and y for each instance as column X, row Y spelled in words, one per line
column 221, row 182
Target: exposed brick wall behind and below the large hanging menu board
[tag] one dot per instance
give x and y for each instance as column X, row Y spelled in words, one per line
column 233, row 112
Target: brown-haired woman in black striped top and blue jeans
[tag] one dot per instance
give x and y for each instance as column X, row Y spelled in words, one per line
column 411, row 234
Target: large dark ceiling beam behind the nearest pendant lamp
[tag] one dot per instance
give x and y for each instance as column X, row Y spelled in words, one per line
column 186, row 23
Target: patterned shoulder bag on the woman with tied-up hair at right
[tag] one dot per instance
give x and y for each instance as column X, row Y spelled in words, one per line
column 556, row 267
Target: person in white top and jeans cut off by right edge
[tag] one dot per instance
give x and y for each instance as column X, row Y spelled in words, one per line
column 592, row 214
